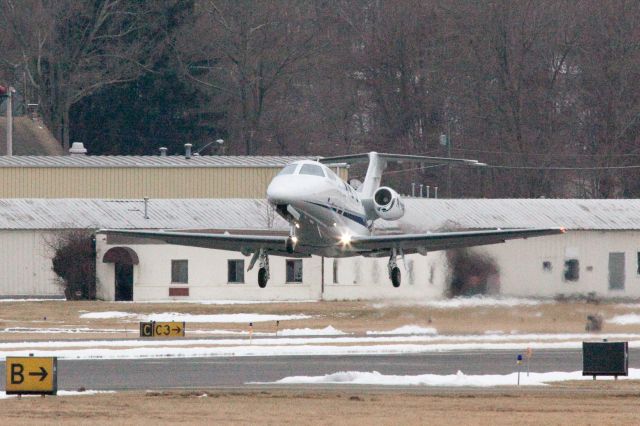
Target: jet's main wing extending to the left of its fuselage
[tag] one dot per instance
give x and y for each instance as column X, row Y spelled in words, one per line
column 242, row 243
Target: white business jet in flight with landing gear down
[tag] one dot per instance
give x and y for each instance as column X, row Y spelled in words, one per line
column 330, row 218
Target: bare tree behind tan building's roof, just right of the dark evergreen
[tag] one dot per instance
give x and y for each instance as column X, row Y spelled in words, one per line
column 245, row 53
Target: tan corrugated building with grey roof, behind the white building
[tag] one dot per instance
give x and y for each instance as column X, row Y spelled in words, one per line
column 128, row 177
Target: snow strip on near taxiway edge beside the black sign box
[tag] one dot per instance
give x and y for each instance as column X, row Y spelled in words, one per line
column 452, row 380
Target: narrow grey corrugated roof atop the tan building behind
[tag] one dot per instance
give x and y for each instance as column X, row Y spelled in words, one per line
column 146, row 161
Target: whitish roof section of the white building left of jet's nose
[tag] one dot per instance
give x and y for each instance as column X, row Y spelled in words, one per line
column 129, row 214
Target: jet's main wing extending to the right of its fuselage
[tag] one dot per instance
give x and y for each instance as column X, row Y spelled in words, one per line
column 412, row 243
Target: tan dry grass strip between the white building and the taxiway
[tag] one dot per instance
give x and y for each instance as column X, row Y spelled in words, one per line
column 352, row 317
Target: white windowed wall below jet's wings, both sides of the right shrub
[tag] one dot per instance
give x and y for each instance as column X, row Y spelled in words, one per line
column 425, row 278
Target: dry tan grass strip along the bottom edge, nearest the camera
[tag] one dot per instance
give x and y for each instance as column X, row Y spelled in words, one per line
column 569, row 404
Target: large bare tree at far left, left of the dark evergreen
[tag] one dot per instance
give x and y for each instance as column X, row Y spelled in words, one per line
column 70, row 50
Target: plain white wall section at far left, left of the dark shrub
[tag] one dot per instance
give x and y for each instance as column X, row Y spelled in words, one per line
column 25, row 264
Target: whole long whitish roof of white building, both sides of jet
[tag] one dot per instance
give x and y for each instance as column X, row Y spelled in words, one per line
column 421, row 214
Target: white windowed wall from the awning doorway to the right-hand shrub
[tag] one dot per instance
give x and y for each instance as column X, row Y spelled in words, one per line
column 359, row 278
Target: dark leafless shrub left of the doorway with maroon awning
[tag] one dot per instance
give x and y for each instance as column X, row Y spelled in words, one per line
column 74, row 262
